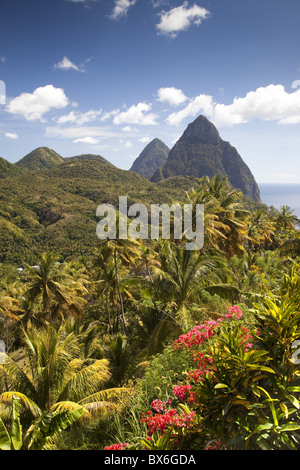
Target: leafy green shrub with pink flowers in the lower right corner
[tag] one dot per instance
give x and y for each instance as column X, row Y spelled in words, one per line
column 239, row 392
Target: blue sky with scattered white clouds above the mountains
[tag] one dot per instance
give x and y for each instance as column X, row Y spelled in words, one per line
column 108, row 76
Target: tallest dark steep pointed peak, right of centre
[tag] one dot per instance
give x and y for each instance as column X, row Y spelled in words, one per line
column 200, row 151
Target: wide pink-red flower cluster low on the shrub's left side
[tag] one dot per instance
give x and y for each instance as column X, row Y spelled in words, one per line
column 170, row 418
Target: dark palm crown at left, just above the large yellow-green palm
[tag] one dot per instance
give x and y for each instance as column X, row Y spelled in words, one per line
column 56, row 287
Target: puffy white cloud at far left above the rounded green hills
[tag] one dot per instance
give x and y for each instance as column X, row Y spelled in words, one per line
column 33, row 106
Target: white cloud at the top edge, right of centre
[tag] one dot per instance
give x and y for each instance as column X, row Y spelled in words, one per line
column 180, row 19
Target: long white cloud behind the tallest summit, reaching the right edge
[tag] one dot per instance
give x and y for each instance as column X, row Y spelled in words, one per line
column 270, row 103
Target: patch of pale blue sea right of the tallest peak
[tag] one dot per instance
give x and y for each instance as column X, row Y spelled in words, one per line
column 281, row 195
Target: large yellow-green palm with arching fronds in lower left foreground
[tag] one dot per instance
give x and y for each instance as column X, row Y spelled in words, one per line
column 57, row 376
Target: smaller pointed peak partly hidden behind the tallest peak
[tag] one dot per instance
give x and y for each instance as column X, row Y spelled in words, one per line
column 154, row 155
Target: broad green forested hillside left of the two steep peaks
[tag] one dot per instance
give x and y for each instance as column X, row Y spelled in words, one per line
column 55, row 208
